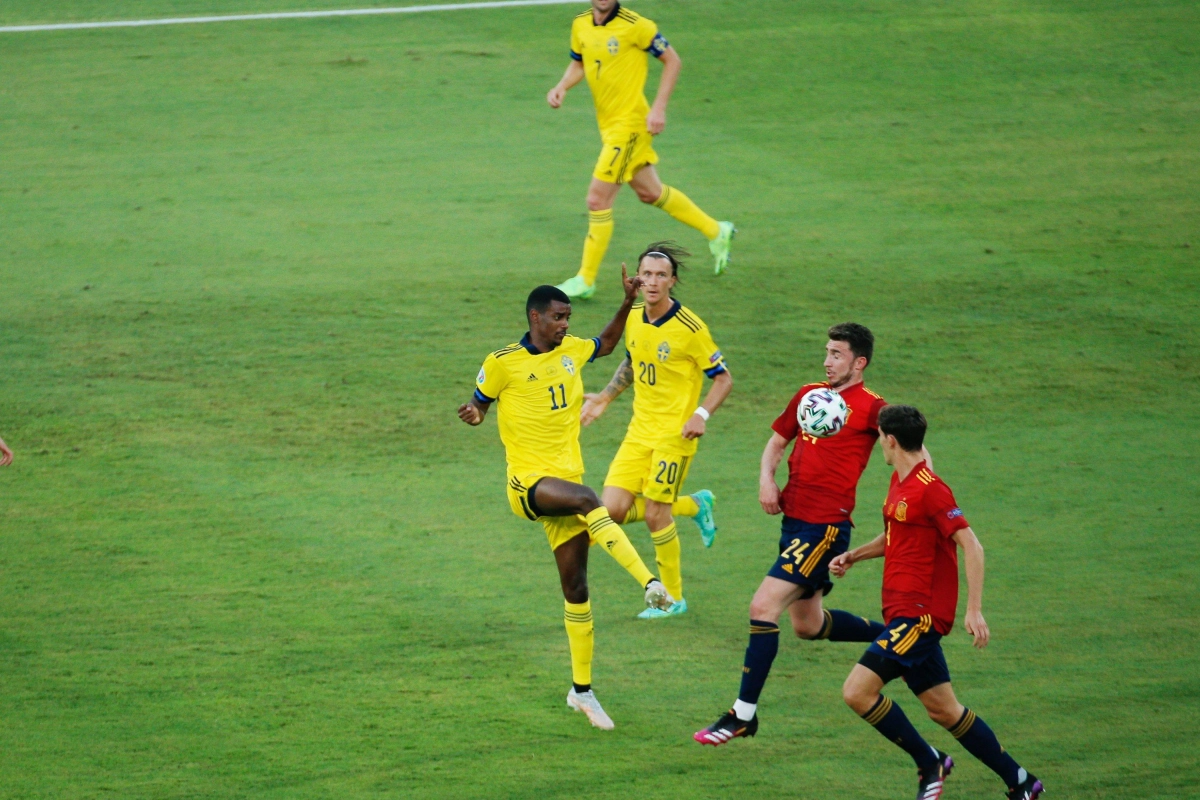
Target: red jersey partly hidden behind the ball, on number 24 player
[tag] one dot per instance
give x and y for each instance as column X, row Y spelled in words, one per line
column 823, row 474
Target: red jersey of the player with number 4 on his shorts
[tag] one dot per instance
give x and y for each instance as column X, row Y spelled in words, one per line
column 921, row 560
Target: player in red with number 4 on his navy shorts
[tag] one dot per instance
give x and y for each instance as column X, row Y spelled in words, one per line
column 923, row 528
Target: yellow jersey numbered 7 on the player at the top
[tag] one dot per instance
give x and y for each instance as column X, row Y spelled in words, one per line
column 615, row 62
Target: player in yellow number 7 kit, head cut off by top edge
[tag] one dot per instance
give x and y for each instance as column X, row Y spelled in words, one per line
column 609, row 47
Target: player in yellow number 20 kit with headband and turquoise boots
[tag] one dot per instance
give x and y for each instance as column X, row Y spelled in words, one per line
column 669, row 353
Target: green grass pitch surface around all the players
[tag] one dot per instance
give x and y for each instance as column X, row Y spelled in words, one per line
column 249, row 272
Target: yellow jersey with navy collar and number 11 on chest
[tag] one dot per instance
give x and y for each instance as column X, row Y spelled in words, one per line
column 538, row 400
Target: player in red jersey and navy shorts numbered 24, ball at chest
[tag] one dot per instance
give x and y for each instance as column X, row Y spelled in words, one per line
column 823, row 480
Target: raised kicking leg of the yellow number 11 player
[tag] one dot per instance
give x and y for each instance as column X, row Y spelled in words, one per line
column 555, row 497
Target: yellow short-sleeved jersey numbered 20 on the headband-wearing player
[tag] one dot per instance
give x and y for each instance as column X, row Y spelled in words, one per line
column 670, row 359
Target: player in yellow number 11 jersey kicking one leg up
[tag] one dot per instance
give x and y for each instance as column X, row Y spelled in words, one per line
column 538, row 389
